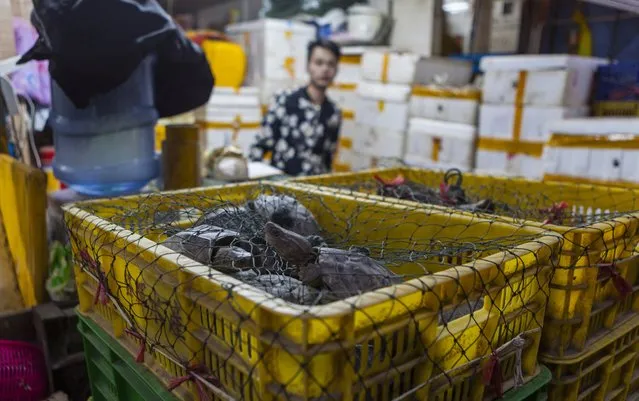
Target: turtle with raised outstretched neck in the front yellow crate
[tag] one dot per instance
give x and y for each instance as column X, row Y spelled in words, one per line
column 343, row 272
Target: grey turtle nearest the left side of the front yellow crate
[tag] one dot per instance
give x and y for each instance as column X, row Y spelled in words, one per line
column 213, row 246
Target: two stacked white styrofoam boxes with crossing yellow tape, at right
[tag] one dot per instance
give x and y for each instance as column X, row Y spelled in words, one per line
column 520, row 94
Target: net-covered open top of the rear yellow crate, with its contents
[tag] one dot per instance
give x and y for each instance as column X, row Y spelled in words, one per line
column 562, row 204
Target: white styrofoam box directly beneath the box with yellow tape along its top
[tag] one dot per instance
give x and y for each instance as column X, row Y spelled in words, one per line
column 457, row 141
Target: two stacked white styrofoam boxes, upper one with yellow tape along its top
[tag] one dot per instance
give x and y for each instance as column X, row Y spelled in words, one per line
column 442, row 127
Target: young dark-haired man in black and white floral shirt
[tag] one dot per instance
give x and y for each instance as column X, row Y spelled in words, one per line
column 301, row 128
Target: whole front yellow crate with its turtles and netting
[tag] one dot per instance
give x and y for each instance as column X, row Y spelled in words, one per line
column 285, row 292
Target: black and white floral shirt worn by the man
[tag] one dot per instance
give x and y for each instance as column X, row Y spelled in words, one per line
column 301, row 136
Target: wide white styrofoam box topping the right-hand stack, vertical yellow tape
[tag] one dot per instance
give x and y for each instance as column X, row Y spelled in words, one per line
column 552, row 80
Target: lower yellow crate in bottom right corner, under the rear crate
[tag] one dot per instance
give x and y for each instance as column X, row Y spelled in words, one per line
column 606, row 372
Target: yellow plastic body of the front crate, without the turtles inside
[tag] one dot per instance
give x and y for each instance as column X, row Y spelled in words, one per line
column 264, row 348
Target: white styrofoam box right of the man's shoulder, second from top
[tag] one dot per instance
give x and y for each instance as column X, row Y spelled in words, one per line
column 383, row 105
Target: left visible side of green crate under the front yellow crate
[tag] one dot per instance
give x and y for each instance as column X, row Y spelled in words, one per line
column 114, row 375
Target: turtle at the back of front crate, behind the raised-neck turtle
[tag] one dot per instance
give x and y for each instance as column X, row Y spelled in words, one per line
column 286, row 212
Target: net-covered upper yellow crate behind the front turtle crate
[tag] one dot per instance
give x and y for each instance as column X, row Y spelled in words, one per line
column 595, row 283
